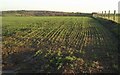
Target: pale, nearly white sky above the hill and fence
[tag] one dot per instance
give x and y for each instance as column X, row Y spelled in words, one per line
column 87, row 6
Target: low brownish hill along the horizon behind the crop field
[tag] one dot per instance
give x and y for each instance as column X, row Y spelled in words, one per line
column 41, row 13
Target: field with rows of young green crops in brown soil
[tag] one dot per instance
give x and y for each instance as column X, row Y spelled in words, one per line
column 58, row 44
